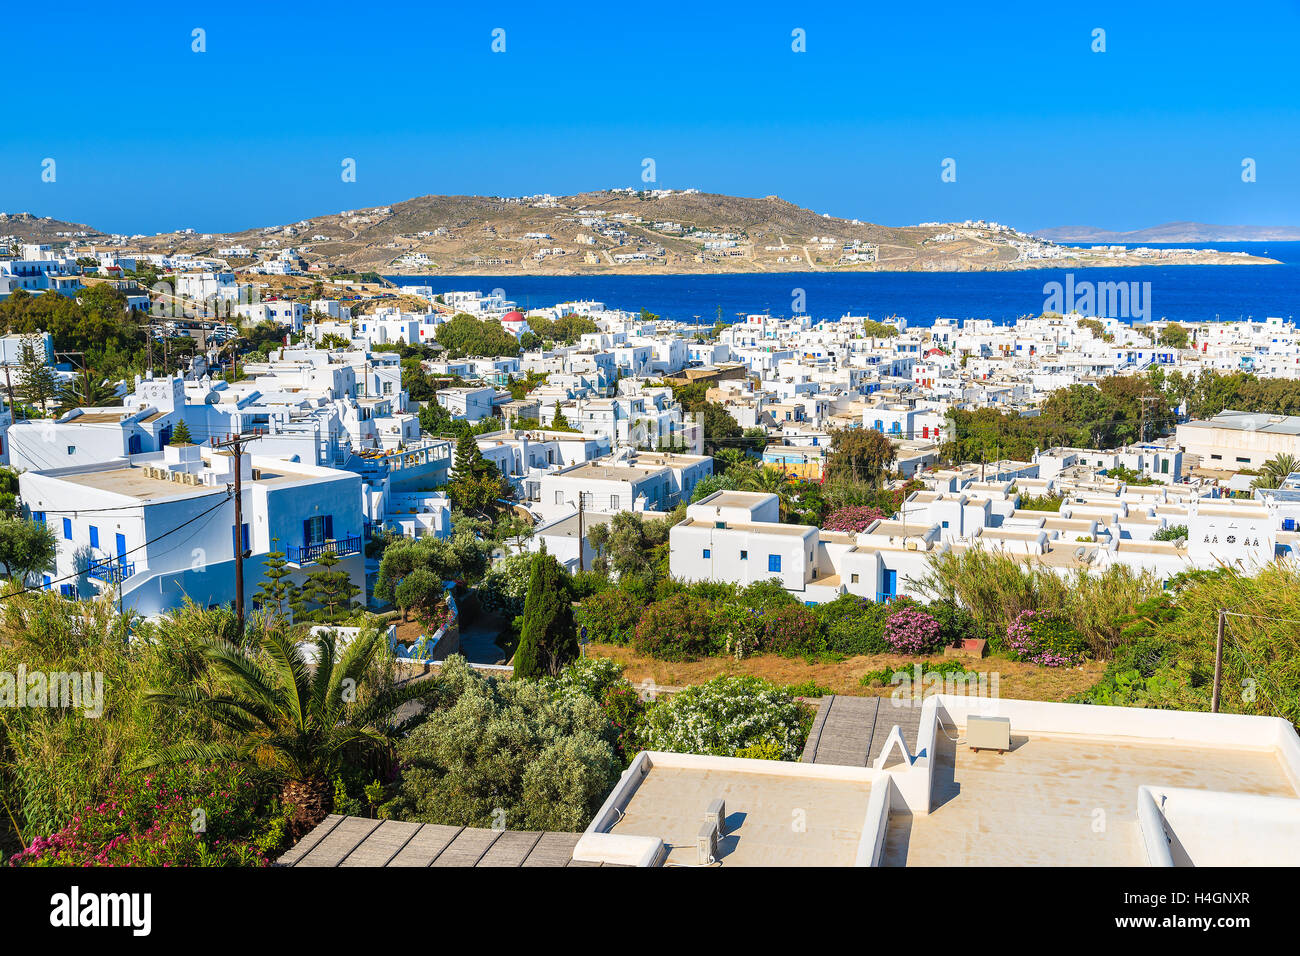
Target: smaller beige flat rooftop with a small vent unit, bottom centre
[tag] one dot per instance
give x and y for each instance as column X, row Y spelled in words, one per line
column 670, row 803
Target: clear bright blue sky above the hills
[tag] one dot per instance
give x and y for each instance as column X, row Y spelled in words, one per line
column 149, row 136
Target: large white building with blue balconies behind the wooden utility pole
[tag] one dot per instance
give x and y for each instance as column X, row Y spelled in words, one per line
column 161, row 526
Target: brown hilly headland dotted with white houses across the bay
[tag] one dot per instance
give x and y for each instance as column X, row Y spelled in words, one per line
column 610, row 232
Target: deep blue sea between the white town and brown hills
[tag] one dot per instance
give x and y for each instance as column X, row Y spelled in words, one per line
column 1180, row 293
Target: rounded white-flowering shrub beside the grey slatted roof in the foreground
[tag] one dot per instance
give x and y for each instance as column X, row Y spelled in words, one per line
column 726, row 716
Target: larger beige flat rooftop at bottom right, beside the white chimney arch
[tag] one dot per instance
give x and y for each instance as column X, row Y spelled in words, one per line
column 1039, row 804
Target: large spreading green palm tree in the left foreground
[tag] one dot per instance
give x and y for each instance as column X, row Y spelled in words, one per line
column 301, row 721
